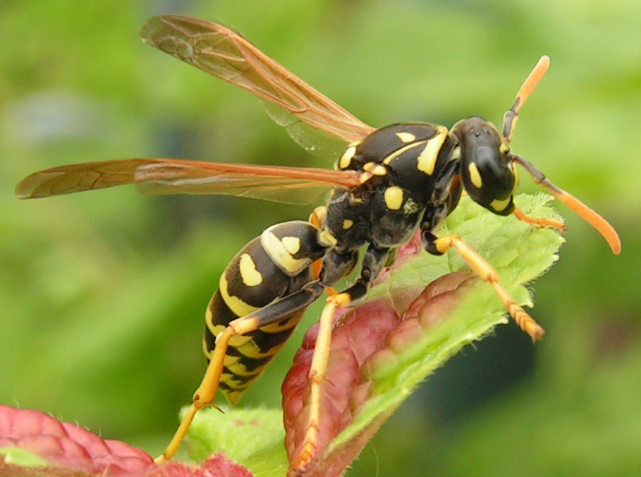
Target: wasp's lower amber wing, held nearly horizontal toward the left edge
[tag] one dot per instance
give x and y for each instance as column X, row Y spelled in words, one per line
column 173, row 176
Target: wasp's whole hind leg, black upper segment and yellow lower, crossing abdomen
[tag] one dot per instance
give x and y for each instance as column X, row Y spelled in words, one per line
column 206, row 392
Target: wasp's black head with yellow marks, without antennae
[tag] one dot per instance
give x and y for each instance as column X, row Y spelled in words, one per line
column 486, row 165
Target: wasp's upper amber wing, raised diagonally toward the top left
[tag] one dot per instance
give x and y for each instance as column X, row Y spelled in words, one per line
column 314, row 121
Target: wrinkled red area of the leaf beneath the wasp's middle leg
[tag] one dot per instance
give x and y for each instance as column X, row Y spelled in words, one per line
column 363, row 342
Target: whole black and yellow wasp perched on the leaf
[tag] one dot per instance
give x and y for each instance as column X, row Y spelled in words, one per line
column 388, row 184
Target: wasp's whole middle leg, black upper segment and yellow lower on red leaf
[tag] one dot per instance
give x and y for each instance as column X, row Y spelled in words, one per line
column 373, row 262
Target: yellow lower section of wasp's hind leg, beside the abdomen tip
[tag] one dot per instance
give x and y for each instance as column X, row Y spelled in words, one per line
column 206, row 393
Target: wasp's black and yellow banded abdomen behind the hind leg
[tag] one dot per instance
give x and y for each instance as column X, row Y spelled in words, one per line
column 271, row 266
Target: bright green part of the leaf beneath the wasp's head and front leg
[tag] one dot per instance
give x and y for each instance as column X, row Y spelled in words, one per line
column 518, row 251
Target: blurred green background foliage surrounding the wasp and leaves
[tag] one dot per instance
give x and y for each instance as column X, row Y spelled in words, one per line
column 102, row 294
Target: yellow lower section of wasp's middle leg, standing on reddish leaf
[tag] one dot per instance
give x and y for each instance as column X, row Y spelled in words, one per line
column 317, row 376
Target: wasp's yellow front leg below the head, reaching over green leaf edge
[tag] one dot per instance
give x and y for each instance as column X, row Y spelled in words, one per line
column 484, row 270
